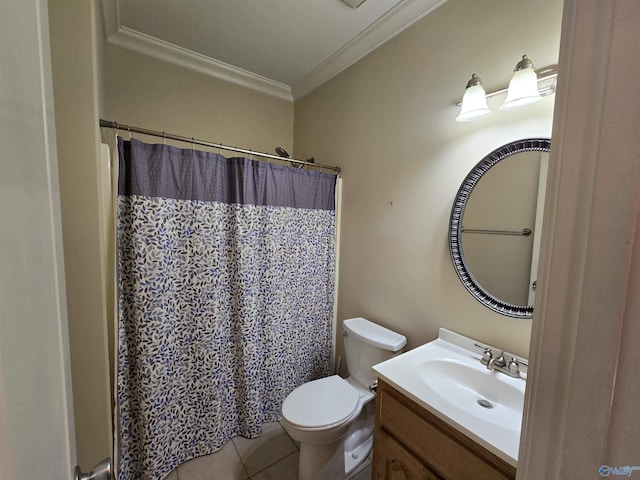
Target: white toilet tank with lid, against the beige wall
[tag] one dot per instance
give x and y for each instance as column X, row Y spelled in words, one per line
column 366, row 344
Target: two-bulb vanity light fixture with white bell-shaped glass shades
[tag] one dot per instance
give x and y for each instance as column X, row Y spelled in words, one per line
column 527, row 86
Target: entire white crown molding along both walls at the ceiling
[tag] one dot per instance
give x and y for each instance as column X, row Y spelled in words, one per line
column 389, row 25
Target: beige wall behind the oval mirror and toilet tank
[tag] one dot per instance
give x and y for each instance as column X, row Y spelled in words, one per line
column 389, row 122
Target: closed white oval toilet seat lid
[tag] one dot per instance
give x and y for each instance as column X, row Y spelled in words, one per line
column 322, row 402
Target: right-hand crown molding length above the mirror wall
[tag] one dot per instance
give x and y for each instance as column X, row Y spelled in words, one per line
column 402, row 16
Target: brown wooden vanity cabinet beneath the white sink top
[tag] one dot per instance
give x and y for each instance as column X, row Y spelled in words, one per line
column 411, row 443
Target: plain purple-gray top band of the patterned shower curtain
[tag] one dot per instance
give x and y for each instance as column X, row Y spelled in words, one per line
column 157, row 170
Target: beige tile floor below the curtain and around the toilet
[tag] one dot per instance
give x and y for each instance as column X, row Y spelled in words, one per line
column 272, row 456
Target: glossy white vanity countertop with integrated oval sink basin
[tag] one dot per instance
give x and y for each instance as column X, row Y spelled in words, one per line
column 446, row 377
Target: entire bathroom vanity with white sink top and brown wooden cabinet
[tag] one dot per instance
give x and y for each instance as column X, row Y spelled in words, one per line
column 444, row 411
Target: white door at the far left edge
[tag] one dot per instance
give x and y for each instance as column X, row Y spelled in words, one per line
column 37, row 438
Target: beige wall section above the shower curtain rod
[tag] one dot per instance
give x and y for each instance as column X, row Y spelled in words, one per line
column 157, row 95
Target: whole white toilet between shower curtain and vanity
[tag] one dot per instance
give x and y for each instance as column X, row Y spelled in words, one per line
column 333, row 418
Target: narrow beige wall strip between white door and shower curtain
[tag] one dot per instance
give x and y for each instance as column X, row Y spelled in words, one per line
column 75, row 64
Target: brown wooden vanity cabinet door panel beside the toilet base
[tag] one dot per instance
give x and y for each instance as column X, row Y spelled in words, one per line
column 396, row 463
